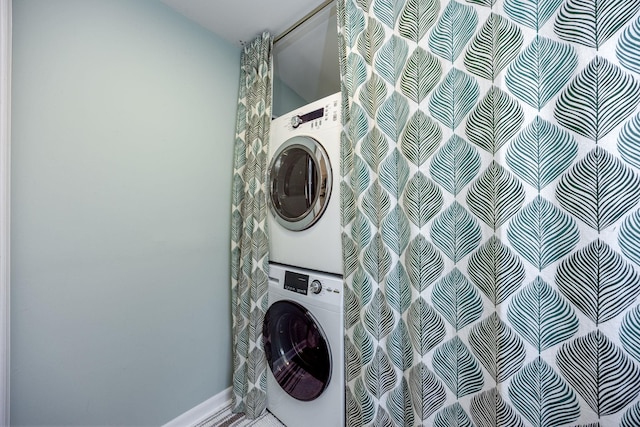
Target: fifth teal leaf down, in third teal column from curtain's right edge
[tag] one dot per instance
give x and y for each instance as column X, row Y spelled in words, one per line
column 457, row 300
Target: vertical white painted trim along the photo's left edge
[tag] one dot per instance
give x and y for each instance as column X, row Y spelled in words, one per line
column 5, row 187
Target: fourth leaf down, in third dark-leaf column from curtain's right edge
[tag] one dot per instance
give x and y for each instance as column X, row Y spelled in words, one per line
column 422, row 199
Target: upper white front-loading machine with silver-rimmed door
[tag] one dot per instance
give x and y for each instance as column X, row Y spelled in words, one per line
column 303, row 183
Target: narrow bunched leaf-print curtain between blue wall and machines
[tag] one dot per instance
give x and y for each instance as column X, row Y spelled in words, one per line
column 249, row 247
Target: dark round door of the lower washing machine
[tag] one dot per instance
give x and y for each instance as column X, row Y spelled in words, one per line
column 297, row 350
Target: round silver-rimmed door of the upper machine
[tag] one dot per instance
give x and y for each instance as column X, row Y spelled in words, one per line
column 299, row 183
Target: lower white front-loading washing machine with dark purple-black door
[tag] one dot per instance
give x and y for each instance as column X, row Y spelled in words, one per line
column 303, row 341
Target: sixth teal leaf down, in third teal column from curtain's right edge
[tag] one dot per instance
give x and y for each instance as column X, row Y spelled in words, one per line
column 458, row 369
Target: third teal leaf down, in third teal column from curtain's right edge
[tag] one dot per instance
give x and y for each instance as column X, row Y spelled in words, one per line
column 455, row 164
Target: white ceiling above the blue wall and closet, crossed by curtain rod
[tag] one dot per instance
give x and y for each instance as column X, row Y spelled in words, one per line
column 306, row 59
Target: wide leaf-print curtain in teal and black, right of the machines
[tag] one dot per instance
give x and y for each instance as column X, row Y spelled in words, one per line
column 491, row 226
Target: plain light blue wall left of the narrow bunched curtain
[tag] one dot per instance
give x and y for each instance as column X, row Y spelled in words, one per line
column 123, row 127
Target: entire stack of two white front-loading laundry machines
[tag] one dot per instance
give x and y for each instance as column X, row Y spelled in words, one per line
column 303, row 327
